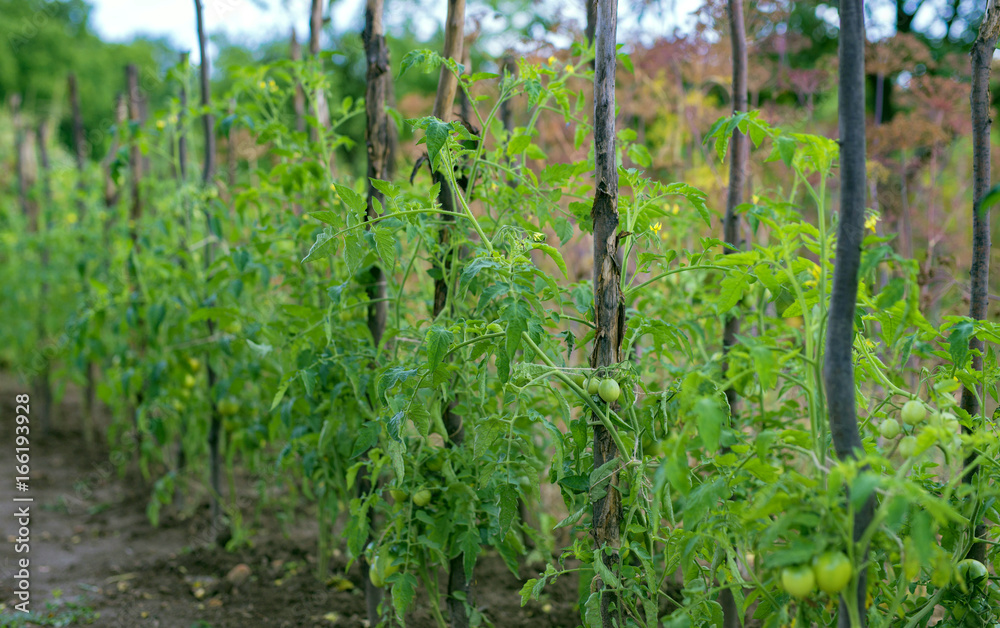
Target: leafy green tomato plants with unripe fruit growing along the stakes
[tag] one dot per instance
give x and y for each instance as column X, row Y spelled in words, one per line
column 440, row 441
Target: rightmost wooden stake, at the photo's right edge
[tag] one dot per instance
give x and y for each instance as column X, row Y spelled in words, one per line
column 982, row 56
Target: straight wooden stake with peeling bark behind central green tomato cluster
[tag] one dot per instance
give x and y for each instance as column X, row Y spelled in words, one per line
column 609, row 306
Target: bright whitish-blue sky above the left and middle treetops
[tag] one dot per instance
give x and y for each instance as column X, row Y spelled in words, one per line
column 249, row 21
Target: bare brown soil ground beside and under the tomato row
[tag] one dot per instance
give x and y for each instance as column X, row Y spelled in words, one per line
column 95, row 559
